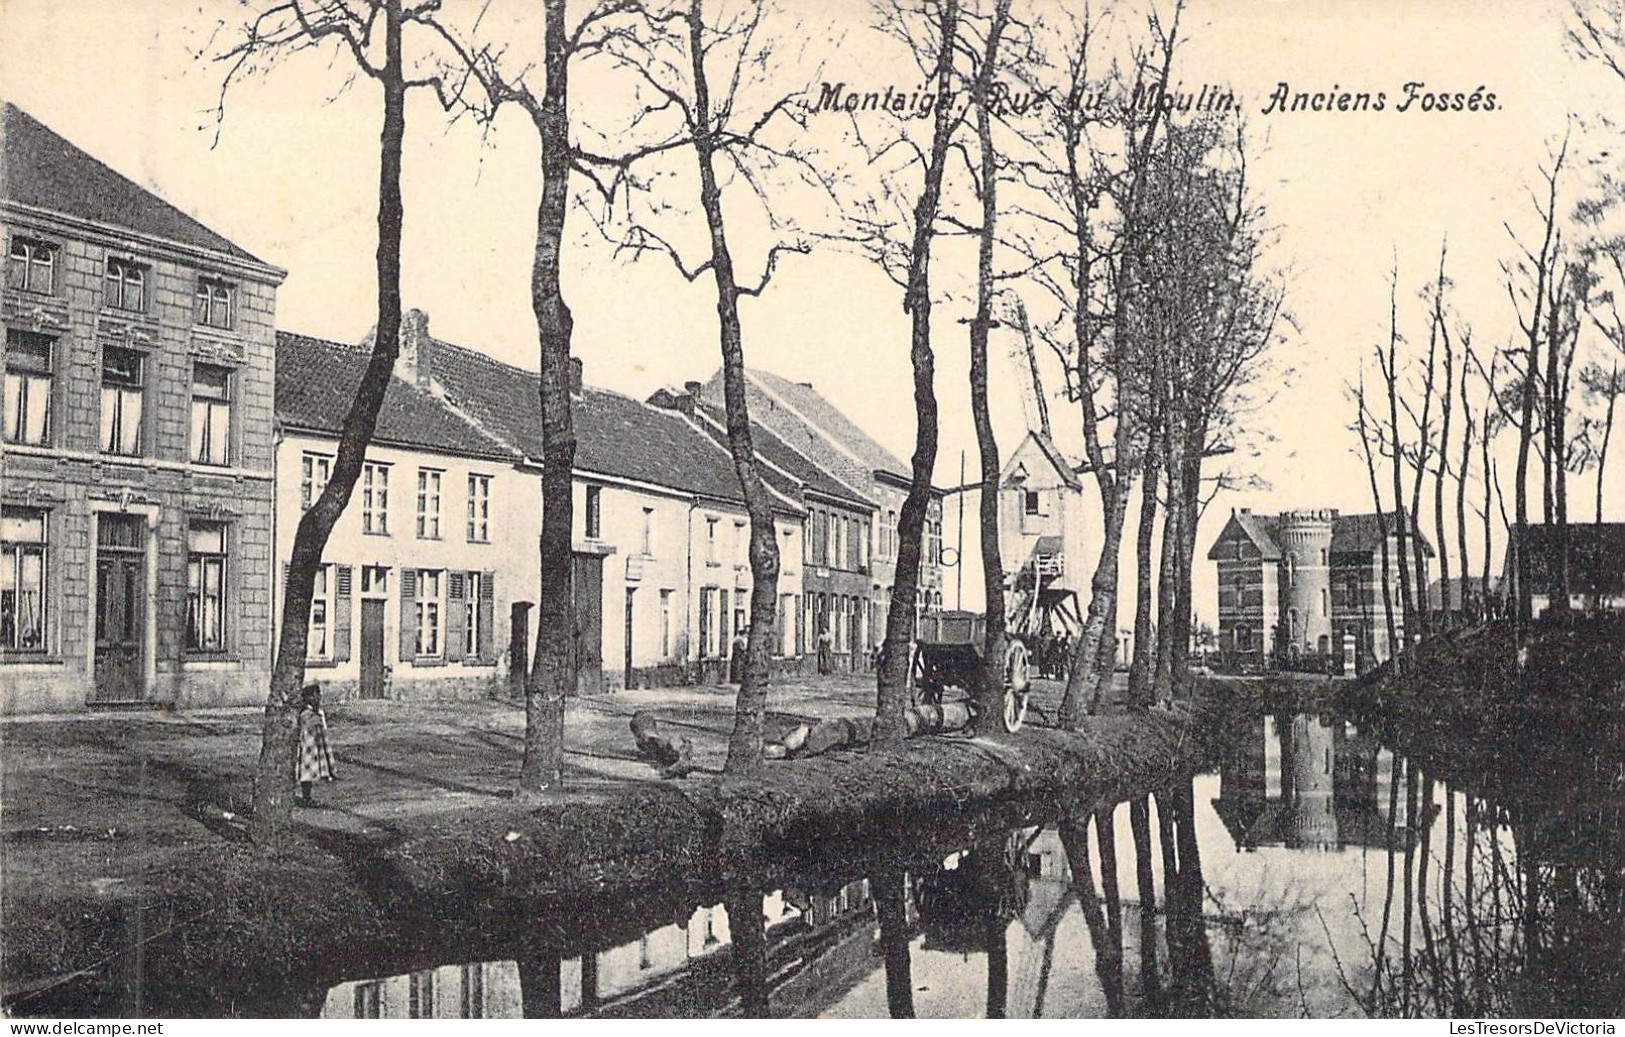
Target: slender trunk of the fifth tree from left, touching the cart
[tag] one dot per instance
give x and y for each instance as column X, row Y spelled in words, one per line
column 990, row 692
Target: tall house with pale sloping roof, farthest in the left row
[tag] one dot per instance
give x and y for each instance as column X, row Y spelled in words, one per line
column 818, row 430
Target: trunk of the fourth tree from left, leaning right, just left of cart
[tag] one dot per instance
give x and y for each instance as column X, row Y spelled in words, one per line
column 893, row 680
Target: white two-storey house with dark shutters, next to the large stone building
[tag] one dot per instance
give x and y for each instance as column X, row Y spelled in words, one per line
column 440, row 539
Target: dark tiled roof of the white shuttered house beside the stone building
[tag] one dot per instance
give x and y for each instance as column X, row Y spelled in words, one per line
column 318, row 380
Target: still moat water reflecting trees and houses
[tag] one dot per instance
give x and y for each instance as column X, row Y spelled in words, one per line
column 1314, row 872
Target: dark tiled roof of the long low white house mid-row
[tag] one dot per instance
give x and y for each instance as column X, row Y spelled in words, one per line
column 615, row 435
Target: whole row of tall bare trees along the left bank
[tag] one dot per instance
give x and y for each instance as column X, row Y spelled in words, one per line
column 1138, row 230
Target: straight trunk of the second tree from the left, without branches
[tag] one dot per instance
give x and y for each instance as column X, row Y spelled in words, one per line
column 553, row 669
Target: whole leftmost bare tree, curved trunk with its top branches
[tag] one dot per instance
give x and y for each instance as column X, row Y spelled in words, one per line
column 368, row 35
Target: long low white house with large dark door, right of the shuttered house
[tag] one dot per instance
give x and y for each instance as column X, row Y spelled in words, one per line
column 662, row 534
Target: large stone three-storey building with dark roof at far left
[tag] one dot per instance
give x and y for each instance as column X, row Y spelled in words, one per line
column 137, row 461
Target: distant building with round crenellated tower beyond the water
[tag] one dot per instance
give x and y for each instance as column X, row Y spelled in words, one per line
column 1307, row 584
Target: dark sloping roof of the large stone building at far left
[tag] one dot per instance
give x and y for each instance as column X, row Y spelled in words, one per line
column 45, row 170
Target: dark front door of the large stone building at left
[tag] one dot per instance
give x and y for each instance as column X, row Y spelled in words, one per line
column 121, row 610
